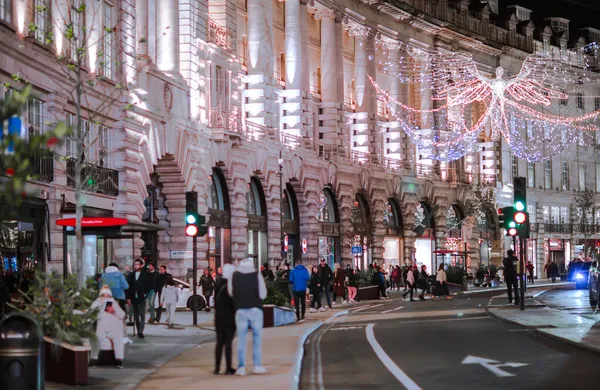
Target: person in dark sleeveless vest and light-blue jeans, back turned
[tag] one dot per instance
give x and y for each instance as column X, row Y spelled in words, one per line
column 248, row 289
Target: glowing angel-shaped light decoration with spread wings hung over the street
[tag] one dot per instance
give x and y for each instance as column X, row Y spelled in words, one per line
column 520, row 108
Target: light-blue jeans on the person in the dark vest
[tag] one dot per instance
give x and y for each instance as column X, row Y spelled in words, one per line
column 252, row 318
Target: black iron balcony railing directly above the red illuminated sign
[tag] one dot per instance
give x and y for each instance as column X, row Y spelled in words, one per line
column 94, row 178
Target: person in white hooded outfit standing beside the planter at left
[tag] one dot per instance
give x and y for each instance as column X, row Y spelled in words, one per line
column 109, row 326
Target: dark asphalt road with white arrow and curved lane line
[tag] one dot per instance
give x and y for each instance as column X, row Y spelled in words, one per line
column 423, row 345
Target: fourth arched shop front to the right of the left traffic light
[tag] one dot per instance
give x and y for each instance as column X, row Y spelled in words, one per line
column 329, row 235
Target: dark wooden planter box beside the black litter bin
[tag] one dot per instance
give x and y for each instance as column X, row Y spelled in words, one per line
column 69, row 365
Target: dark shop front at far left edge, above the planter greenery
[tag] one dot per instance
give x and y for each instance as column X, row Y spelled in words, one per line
column 24, row 242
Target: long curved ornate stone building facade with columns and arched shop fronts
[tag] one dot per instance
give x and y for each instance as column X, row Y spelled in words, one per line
column 265, row 109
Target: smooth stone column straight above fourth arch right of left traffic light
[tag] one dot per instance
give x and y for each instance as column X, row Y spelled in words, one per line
column 328, row 56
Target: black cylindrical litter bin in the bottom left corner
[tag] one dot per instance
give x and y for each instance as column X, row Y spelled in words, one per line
column 21, row 353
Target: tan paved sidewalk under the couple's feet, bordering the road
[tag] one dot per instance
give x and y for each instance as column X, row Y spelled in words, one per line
column 279, row 355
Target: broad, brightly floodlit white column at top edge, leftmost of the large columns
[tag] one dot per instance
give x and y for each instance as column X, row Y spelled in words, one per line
column 167, row 36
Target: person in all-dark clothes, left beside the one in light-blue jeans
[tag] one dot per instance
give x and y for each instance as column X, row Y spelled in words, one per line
column 224, row 321
